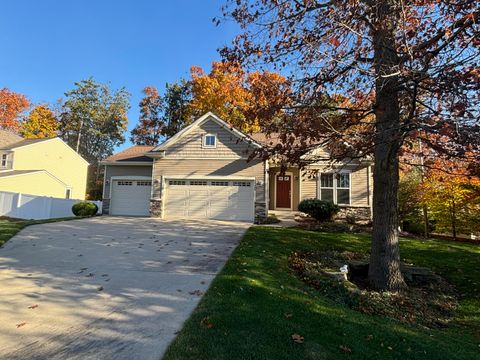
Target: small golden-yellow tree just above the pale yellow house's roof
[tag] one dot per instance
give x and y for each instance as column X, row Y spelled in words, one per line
column 41, row 122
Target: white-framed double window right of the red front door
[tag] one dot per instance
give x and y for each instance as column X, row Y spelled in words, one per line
column 335, row 188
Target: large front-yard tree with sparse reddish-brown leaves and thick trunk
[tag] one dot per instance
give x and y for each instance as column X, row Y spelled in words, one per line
column 407, row 69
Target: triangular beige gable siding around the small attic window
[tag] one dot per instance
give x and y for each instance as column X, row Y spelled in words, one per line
column 190, row 145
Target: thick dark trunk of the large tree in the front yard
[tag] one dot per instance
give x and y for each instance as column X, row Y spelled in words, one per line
column 384, row 270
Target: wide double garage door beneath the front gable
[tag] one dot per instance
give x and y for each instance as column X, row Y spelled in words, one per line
column 210, row 199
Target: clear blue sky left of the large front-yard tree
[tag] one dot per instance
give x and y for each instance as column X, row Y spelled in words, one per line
column 47, row 45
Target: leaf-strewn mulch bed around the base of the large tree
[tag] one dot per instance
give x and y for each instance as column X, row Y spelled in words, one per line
column 428, row 301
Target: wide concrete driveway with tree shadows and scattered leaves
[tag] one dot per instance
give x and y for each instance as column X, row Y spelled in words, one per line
column 107, row 287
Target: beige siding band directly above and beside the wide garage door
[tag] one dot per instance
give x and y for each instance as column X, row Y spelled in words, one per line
column 210, row 167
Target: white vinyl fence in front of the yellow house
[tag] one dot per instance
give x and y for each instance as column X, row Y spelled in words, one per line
column 25, row 206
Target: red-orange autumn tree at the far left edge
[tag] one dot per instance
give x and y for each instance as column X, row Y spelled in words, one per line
column 12, row 105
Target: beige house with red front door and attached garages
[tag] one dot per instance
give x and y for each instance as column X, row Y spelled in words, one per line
column 204, row 172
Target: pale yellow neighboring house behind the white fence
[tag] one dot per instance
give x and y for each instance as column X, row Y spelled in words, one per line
column 44, row 167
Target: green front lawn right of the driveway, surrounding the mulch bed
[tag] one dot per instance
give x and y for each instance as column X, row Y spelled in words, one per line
column 255, row 305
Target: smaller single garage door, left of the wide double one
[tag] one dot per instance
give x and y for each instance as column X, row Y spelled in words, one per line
column 130, row 197
